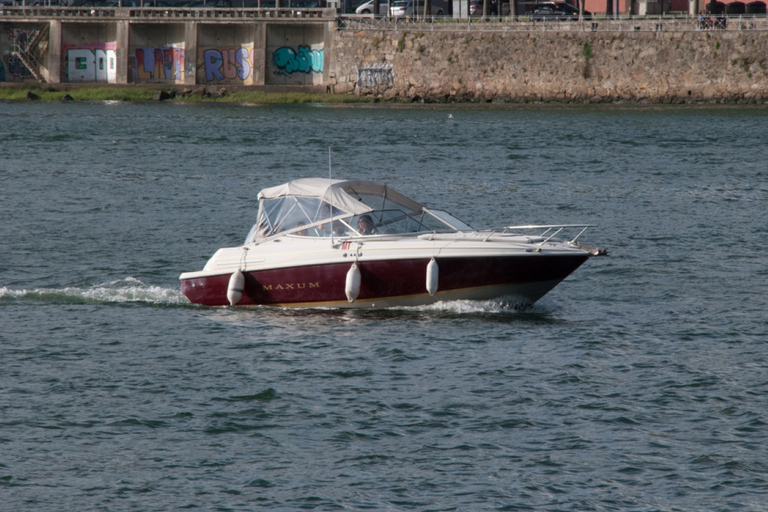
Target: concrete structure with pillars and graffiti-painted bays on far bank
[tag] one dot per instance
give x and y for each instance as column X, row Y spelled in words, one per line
column 179, row 46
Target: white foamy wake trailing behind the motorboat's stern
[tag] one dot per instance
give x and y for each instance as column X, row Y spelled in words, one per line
column 128, row 290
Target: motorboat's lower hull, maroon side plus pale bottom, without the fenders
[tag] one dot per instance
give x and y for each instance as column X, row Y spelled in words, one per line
column 386, row 283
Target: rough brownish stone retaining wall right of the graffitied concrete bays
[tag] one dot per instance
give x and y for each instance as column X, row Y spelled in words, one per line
column 727, row 66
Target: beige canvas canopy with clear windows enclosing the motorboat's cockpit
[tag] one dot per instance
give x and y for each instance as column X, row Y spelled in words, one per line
column 324, row 207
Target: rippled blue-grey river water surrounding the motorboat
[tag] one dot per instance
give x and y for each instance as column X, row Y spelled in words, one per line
column 639, row 383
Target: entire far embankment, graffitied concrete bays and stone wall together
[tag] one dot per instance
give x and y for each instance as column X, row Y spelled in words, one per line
column 234, row 58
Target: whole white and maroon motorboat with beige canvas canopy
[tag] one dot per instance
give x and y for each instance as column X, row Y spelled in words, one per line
column 359, row 244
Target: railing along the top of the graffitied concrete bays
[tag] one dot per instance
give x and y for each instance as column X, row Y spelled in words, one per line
column 47, row 13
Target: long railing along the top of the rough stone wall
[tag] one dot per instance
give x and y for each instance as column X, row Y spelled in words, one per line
column 524, row 24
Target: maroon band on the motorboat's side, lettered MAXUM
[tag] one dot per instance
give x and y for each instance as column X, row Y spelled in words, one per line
column 381, row 279
